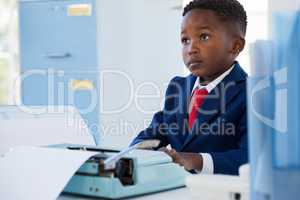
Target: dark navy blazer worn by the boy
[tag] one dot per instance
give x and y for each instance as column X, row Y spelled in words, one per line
column 221, row 125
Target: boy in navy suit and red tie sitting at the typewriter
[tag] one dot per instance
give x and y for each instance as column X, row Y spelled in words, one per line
column 204, row 117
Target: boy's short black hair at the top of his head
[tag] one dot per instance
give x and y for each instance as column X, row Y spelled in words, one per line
column 230, row 10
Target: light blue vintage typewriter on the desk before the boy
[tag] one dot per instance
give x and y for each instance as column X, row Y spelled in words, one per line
column 113, row 174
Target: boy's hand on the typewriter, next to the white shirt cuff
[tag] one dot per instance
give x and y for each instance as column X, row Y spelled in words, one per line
column 188, row 160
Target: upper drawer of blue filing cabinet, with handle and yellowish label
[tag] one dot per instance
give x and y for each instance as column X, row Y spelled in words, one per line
column 54, row 37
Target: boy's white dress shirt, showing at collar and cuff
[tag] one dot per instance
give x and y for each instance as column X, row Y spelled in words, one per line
column 208, row 164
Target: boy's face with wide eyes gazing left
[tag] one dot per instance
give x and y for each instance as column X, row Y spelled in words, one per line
column 208, row 46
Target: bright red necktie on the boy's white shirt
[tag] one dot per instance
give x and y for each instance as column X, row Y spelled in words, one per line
column 196, row 102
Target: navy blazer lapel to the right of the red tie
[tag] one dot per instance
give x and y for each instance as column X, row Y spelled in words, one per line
column 217, row 100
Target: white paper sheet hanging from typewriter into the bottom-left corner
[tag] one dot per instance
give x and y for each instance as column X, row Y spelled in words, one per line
column 38, row 173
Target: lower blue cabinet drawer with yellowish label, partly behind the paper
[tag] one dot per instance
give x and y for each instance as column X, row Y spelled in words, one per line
column 80, row 90
